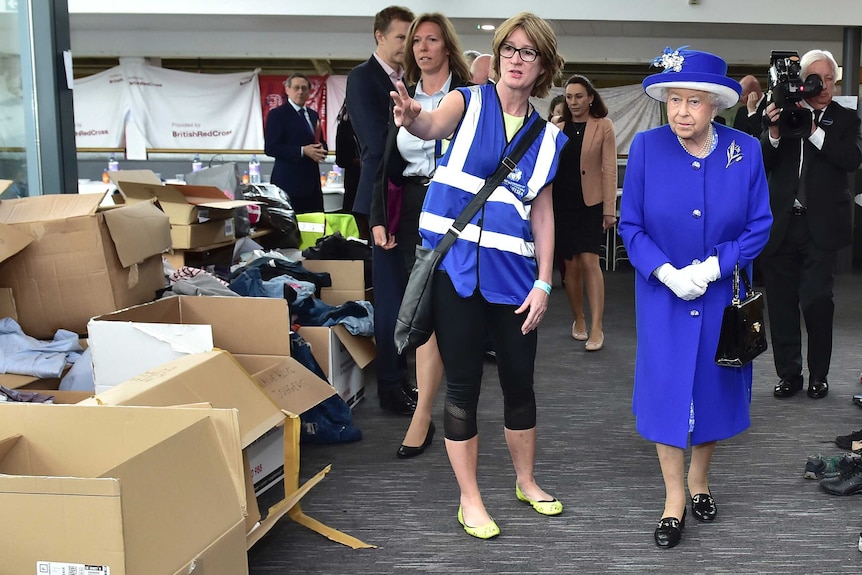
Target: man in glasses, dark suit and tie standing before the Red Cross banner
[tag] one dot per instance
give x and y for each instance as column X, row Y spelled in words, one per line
column 292, row 137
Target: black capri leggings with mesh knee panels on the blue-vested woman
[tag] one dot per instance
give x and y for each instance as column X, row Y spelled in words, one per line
column 461, row 325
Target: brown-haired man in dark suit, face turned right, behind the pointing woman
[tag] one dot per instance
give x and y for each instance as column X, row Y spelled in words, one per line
column 368, row 104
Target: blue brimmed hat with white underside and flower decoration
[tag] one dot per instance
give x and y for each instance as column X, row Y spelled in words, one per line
column 693, row 70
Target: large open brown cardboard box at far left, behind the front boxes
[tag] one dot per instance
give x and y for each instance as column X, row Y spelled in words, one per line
column 81, row 262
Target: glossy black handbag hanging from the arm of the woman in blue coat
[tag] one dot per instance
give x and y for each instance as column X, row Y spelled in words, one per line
column 743, row 333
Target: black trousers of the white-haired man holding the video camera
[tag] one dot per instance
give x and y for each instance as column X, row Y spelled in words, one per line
column 799, row 275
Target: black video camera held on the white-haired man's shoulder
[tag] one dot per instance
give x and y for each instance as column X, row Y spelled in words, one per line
column 786, row 87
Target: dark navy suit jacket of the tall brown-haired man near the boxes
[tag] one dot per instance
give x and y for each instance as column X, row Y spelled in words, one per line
column 368, row 88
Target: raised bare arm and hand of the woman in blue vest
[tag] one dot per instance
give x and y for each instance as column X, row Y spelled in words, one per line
column 434, row 125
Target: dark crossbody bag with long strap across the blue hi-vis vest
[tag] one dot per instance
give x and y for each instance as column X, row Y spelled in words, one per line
column 415, row 322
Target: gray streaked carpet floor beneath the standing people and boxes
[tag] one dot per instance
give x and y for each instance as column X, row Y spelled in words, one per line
column 770, row 519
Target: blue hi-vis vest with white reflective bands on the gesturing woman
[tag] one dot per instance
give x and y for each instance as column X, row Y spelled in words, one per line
column 495, row 252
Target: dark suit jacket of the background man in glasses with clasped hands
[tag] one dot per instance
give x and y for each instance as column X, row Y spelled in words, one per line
column 285, row 135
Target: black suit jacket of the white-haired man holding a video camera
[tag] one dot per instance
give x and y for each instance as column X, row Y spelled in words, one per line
column 828, row 196
